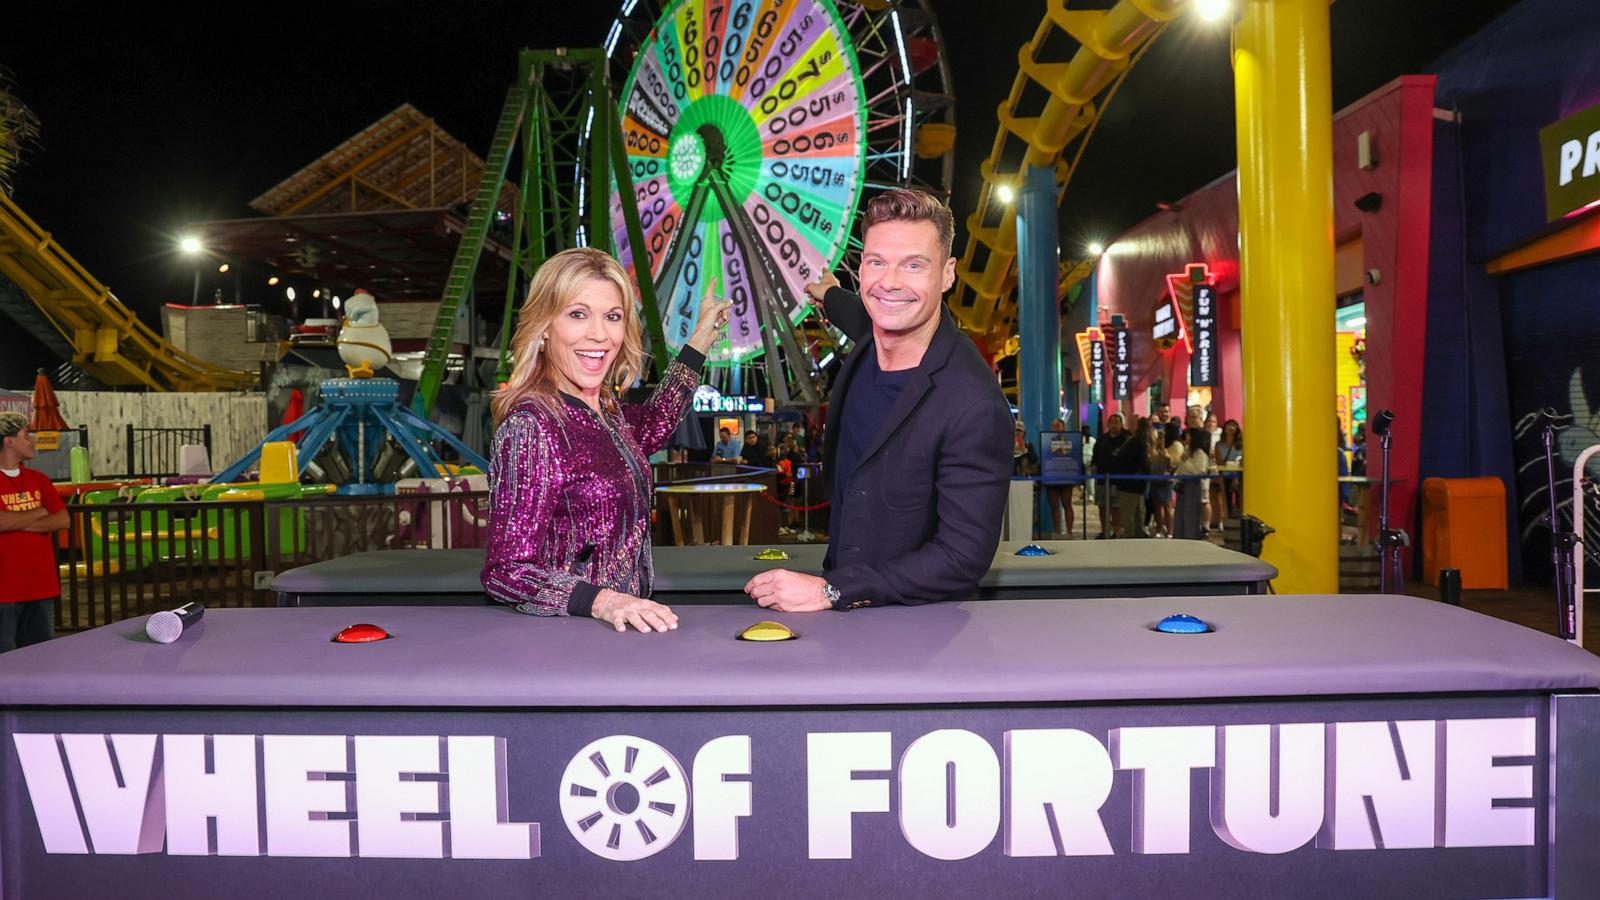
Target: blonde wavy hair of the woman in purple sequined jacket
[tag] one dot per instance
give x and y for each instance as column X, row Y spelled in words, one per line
column 561, row 279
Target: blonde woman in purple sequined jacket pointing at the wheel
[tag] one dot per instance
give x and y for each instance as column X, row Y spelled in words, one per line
column 570, row 484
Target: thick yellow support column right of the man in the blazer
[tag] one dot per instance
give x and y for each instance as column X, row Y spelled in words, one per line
column 1284, row 110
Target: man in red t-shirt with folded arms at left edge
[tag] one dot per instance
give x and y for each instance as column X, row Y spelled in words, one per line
column 31, row 512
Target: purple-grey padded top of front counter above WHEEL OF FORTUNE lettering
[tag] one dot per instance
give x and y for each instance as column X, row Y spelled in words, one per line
column 975, row 653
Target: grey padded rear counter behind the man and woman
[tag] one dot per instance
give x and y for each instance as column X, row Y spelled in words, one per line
column 718, row 574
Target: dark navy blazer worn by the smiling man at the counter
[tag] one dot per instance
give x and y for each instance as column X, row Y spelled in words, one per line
column 921, row 516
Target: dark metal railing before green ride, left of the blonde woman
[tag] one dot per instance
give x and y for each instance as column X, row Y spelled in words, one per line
column 126, row 560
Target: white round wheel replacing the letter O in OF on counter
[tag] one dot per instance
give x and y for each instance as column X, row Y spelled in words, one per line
column 625, row 798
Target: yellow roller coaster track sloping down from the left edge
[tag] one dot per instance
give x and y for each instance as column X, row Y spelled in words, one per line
column 81, row 319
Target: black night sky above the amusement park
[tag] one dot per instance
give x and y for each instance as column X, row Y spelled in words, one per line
column 156, row 121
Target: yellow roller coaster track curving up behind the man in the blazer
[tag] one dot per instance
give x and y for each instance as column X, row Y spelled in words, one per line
column 1078, row 90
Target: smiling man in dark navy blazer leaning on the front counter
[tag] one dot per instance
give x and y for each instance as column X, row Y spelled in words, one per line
column 914, row 452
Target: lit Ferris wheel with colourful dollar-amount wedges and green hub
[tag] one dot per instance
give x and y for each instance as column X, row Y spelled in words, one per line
column 754, row 132
